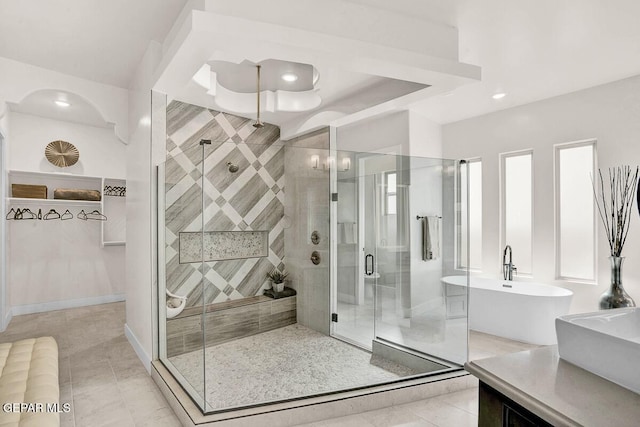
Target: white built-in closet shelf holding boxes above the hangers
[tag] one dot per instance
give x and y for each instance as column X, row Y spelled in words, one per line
column 112, row 231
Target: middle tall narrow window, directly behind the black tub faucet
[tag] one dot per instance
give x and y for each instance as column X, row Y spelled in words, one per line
column 517, row 207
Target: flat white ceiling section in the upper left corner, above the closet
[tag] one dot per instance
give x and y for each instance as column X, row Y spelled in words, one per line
column 99, row 40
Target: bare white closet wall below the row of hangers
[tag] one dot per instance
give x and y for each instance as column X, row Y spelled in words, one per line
column 60, row 264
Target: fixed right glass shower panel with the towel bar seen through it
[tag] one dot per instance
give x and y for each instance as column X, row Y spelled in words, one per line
column 415, row 237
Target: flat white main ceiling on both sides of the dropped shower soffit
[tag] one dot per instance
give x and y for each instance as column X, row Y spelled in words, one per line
column 529, row 50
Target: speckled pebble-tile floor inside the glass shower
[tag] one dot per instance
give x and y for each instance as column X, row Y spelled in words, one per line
column 315, row 363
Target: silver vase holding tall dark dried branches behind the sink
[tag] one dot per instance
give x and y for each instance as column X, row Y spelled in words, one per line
column 615, row 205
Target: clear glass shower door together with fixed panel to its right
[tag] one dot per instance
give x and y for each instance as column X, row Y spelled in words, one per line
column 396, row 220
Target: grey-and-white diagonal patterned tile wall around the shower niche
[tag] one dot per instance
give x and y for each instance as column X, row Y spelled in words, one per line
column 251, row 199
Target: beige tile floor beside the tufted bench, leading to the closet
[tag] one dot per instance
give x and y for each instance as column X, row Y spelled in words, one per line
column 100, row 374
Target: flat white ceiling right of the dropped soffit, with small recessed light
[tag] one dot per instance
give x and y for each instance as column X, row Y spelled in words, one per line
column 536, row 50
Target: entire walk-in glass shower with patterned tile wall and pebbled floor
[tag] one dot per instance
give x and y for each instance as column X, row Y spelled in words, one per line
column 363, row 302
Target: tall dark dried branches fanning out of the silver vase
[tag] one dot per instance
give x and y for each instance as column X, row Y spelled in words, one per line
column 616, row 204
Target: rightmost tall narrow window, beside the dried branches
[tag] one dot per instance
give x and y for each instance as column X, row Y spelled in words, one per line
column 575, row 211
